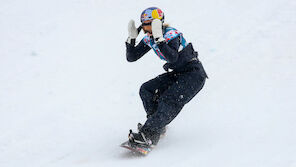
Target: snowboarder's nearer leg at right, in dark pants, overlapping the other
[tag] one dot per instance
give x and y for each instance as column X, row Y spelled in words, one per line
column 172, row 101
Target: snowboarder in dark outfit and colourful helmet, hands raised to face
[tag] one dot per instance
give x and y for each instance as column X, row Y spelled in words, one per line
column 164, row 96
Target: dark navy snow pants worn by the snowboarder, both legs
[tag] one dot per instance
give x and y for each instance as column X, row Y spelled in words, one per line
column 164, row 96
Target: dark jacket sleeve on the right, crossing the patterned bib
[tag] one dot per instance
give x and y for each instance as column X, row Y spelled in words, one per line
column 170, row 49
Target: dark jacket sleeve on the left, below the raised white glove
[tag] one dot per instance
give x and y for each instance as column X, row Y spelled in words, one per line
column 133, row 53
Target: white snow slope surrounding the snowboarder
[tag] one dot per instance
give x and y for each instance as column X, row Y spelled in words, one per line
column 68, row 96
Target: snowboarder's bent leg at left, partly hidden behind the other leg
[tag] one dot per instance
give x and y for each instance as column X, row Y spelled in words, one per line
column 151, row 90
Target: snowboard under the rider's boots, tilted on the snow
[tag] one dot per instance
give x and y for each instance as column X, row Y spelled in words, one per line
column 137, row 148
